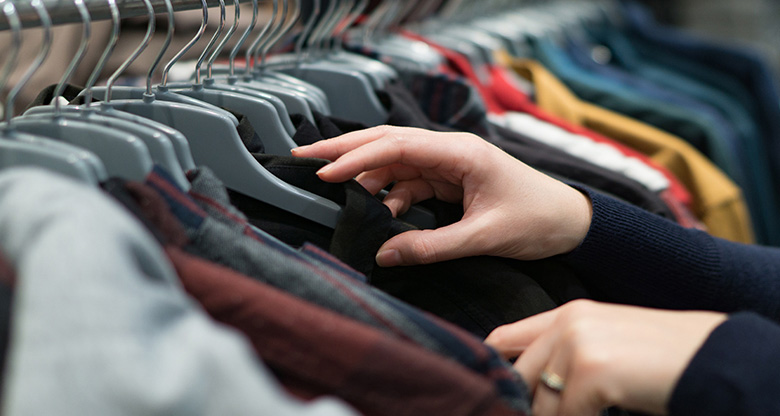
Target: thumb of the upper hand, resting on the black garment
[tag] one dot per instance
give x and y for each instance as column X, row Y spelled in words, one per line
column 430, row 246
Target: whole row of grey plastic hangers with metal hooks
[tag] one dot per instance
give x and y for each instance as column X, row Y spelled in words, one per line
column 180, row 124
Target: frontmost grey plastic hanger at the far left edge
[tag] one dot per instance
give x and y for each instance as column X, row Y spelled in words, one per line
column 20, row 149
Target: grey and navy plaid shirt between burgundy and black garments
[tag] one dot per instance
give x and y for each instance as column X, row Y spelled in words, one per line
column 317, row 277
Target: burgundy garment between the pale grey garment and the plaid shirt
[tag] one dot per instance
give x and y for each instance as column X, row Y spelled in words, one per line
column 317, row 352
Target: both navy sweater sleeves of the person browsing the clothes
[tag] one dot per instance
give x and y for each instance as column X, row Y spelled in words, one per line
column 631, row 256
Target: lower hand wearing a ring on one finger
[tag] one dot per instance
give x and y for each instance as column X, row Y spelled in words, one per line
column 605, row 355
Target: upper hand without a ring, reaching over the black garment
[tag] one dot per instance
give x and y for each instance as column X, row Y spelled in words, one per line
column 511, row 210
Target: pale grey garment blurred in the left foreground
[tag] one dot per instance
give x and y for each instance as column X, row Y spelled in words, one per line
column 101, row 324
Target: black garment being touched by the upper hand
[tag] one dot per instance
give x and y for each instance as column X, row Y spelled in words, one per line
column 478, row 294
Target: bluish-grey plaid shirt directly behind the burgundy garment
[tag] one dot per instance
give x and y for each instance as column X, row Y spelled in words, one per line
column 311, row 275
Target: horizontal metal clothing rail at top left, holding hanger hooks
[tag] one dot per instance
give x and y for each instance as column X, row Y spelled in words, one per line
column 64, row 11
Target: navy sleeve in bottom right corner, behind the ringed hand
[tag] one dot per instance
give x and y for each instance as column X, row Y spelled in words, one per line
column 734, row 373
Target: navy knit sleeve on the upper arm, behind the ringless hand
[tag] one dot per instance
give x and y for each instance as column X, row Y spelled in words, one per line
column 634, row 257
